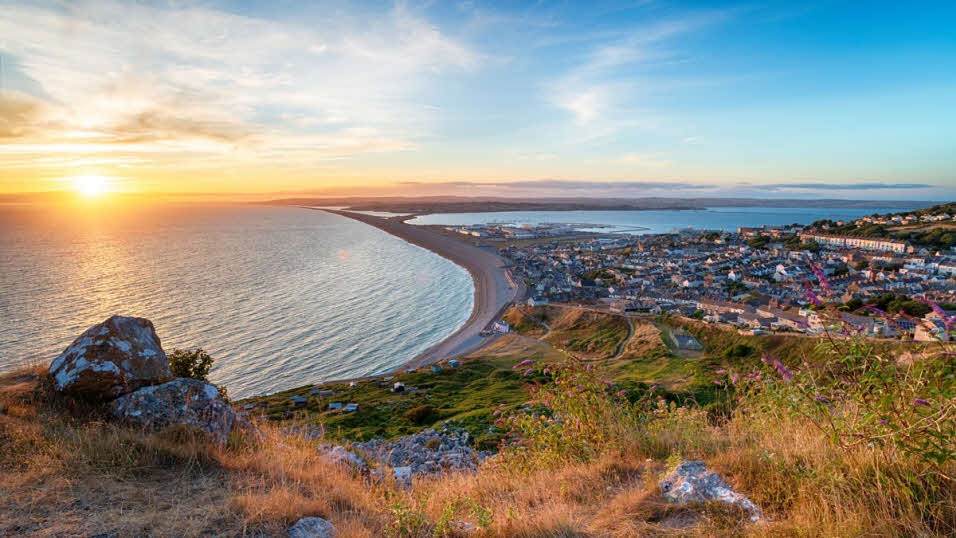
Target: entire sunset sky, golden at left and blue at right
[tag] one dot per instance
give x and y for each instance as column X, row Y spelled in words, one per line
column 642, row 98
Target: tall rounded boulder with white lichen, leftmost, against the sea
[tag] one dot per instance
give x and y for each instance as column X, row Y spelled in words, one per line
column 112, row 358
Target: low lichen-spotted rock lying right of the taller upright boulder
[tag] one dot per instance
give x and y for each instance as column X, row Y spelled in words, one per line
column 182, row 401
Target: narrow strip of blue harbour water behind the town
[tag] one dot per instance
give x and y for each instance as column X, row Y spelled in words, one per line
column 723, row 218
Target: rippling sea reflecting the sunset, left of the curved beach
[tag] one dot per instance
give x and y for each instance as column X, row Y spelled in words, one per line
column 281, row 297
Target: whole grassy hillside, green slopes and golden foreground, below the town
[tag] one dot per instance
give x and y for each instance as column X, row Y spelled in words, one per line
column 67, row 470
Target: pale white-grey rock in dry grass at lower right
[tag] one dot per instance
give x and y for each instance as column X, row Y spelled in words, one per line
column 692, row 481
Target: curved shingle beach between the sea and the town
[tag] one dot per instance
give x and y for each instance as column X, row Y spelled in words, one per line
column 494, row 289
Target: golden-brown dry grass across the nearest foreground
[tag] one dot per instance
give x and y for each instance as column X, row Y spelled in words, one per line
column 65, row 471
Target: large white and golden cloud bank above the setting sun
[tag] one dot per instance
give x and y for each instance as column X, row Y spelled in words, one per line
column 146, row 83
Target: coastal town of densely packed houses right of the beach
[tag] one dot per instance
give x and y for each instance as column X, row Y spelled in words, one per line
column 761, row 280
